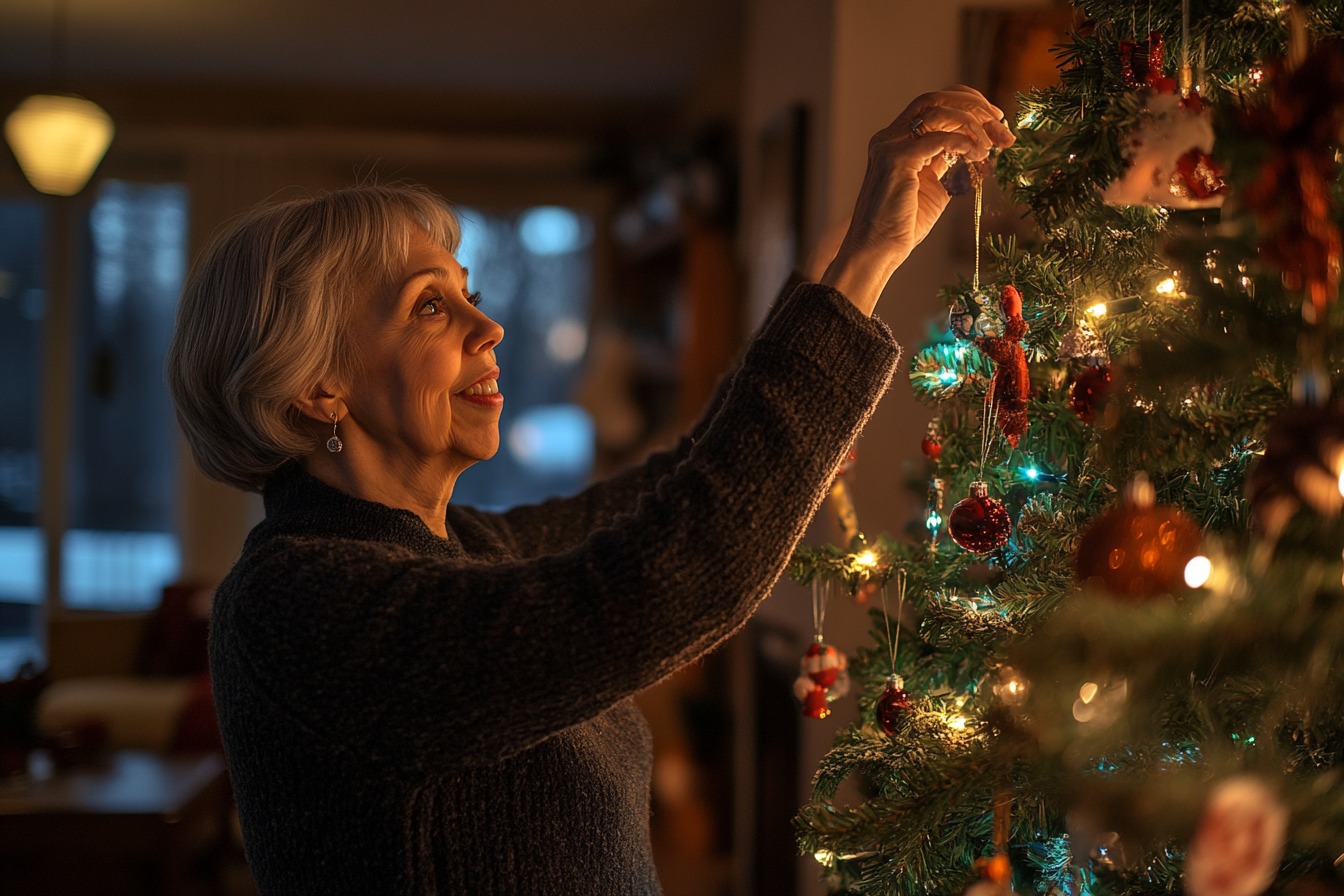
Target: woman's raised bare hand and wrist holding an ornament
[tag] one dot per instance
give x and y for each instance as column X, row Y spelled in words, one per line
column 902, row 198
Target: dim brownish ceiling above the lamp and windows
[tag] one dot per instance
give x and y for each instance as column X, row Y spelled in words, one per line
column 580, row 49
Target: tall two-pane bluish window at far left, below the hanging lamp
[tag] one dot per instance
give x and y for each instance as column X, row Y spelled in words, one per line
column 119, row 547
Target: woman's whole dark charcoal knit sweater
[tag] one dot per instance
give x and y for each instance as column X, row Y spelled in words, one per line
column 405, row 714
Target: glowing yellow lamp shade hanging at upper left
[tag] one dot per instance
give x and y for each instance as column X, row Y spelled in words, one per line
column 58, row 142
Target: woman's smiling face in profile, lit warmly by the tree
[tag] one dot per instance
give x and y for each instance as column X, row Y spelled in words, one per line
column 429, row 382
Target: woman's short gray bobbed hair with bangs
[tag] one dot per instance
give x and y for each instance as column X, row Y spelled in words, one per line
column 264, row 319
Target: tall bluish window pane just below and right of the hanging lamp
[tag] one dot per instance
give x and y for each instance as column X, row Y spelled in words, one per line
column 122, row 547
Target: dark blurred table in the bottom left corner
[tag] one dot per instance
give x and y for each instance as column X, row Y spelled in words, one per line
column 139, row 824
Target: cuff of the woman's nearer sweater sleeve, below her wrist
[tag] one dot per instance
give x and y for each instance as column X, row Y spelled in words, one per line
column 821, row 324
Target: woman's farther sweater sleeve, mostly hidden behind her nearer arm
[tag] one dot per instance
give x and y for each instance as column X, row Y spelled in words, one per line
column 560, row 525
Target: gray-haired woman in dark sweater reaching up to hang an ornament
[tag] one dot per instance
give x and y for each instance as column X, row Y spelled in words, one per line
column 421, row 698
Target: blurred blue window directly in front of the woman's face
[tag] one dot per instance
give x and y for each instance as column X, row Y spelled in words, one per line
column 534, row 272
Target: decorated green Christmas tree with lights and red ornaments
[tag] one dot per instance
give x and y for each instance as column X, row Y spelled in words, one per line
column 1109, row 664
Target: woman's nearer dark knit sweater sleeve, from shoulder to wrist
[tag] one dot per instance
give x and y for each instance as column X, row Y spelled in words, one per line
column 411, row 660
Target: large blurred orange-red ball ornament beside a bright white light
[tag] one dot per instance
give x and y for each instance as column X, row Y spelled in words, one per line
column 1138, row 550
